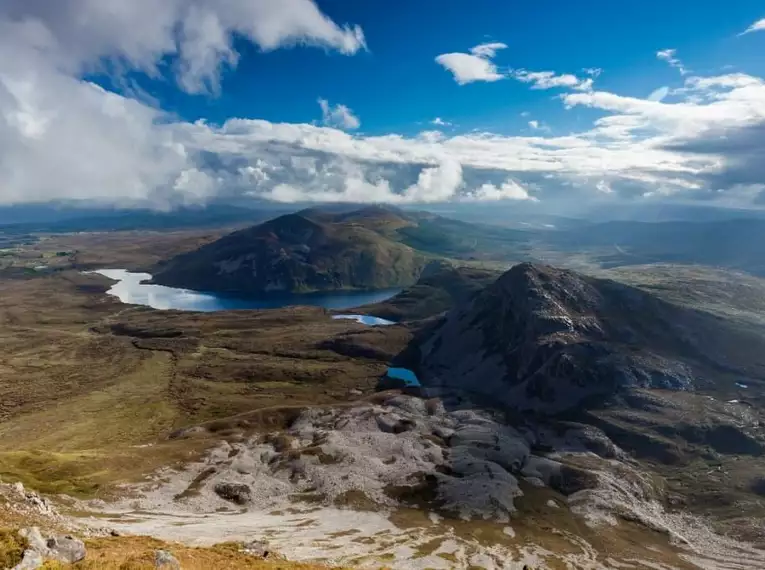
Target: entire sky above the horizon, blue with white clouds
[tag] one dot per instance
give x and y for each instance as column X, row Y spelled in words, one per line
column 183, row 102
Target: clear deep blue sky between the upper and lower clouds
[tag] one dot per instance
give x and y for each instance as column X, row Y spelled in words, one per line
column 396, row 86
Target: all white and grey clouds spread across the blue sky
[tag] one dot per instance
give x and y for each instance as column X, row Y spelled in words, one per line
column 62, row 137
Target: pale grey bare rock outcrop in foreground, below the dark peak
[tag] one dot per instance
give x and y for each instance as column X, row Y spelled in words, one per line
column 401, row 451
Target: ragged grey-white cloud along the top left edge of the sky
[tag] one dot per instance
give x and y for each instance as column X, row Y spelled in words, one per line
column 78, row 34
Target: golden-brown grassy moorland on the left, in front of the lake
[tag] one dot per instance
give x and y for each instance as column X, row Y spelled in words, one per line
column 90, row 389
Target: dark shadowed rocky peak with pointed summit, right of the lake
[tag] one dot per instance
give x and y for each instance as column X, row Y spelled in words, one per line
column 551, row 340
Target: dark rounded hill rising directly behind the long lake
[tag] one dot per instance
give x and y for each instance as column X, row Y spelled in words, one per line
column 302, row 252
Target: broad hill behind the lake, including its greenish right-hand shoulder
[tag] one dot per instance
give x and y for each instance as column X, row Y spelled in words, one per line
column 321, row 250
